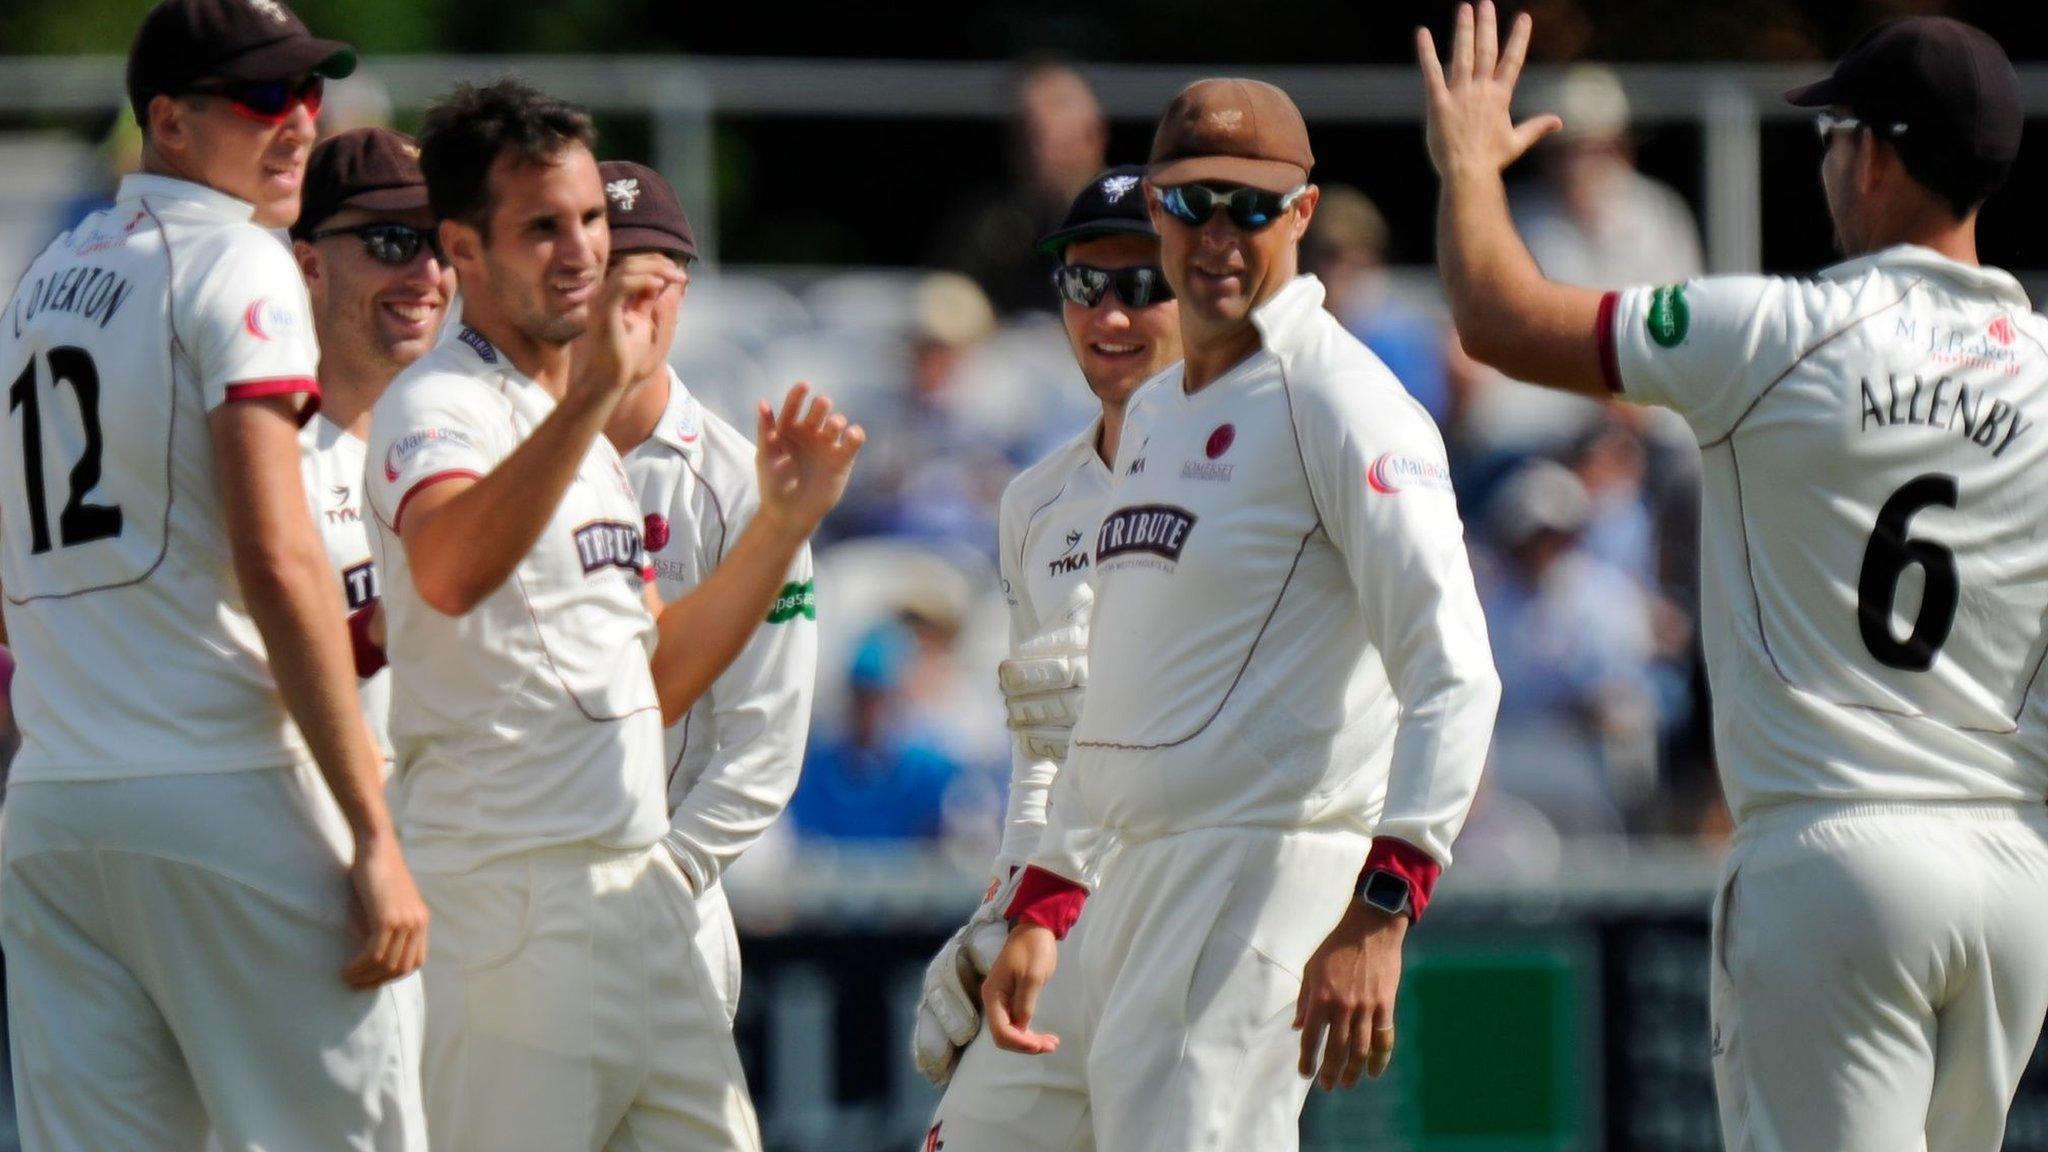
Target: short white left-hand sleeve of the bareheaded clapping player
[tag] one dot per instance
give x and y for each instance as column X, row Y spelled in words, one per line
column 425, row 431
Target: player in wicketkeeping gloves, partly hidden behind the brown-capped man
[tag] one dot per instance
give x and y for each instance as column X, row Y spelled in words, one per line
column 1123, row 327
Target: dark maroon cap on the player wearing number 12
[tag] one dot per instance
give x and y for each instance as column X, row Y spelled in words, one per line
column 183, row 42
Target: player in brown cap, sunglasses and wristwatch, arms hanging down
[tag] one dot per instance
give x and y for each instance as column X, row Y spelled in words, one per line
column 1291, row 688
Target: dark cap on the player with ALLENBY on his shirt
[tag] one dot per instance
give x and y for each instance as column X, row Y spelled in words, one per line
column 1949, row 83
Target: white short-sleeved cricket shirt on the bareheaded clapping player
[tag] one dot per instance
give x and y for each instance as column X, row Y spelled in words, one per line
column 529, row 723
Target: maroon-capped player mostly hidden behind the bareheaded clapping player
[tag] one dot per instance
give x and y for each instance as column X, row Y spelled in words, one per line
column 736, row 753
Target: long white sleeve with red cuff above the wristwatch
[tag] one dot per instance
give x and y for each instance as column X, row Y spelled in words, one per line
column 1381, row 485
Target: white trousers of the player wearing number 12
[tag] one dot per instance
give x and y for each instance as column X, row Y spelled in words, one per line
column 175, row 956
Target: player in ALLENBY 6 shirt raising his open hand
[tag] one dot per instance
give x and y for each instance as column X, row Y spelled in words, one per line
column 1875, row 583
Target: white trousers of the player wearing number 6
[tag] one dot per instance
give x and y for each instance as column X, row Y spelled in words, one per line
column 1881, row 975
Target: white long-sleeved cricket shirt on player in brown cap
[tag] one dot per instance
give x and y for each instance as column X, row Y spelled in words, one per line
column 1285, row 624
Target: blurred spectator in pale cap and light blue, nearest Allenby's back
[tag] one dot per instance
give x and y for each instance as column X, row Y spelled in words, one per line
column 1574, row 645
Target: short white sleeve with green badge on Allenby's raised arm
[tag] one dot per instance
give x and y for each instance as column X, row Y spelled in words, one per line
column 1707, row 349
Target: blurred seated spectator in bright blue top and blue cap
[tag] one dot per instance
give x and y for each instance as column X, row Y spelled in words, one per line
column 886, row 778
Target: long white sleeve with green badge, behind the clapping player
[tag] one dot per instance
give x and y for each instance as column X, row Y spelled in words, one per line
column 761, row 714
